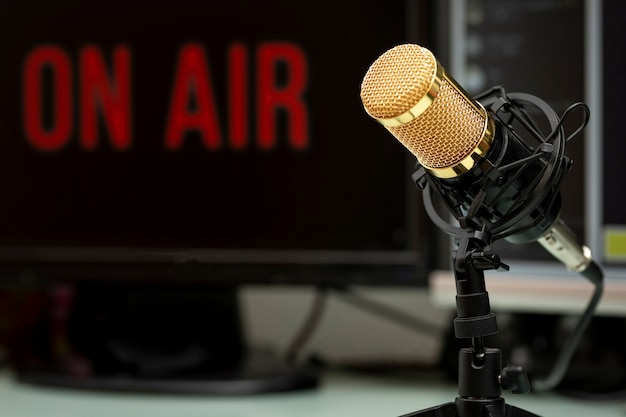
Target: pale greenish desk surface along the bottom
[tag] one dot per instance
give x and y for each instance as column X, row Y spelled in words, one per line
column 340, row 395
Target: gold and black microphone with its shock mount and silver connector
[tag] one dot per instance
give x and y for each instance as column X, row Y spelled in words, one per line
column 474, row 159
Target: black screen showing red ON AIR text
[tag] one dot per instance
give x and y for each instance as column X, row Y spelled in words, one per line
column 208, row 126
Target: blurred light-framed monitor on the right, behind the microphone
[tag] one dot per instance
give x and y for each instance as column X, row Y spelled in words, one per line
column 562, row 53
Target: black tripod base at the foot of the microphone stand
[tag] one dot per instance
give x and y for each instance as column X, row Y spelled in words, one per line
column 464, row 407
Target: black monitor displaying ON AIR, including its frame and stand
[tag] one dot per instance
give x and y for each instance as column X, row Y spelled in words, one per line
column 157, row 155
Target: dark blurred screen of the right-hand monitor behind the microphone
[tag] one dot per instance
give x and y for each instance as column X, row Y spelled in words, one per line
column 534, row 47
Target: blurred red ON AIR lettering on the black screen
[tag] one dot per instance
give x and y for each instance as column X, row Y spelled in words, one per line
column 65, row 98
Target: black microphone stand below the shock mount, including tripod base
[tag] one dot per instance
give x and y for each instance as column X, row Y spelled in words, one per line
column 481, row 375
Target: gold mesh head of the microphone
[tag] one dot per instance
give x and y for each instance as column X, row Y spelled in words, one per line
column 408, row 91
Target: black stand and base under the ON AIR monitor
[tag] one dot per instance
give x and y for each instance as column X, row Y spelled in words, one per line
column 152, row 338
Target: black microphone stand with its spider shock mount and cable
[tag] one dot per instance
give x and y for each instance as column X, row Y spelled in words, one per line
column 481, row 375
